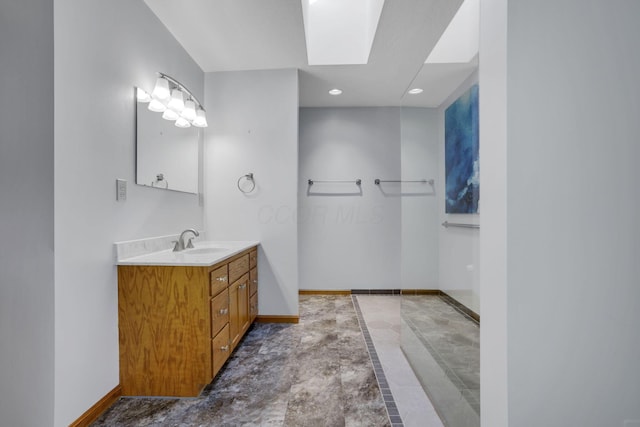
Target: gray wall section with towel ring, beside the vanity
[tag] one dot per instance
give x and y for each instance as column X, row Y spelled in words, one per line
column 253, row 127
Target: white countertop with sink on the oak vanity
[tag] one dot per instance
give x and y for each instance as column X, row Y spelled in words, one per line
column 203, row 254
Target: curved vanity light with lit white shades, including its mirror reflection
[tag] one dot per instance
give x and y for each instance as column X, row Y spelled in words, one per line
column 175, row 101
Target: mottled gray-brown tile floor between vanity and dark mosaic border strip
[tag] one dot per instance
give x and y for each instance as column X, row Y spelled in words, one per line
column 315, row 373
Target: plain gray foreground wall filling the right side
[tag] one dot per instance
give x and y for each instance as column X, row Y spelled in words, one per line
column 566, row 83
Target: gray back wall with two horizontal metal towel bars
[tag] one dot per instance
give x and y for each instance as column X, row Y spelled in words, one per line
column 387, row 236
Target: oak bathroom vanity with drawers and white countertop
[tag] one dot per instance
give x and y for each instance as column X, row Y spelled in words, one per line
column 182, row 314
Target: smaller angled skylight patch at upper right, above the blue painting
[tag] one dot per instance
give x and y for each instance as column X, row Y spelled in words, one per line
column 459, row 42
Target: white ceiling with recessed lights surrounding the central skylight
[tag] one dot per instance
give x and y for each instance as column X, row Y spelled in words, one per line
column 234, row 35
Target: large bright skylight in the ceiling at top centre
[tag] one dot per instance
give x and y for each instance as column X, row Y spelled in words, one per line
column 340, row 32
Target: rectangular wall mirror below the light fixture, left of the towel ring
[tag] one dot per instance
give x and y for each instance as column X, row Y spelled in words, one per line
column 166, row 155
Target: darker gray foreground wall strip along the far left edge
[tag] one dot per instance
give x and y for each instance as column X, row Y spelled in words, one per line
column 26, row 213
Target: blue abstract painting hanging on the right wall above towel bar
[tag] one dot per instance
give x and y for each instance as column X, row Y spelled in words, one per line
column 461, row 135
